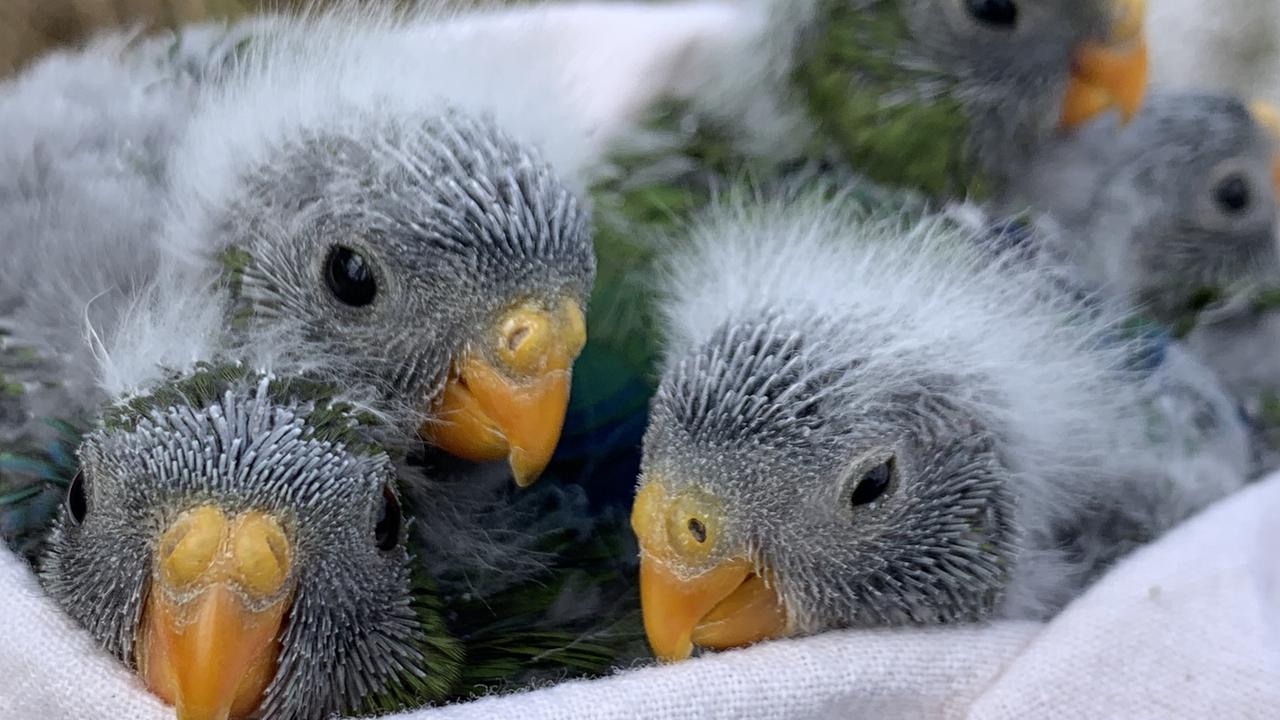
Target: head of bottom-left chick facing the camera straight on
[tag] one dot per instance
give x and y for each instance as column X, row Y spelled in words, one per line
column 240, row 545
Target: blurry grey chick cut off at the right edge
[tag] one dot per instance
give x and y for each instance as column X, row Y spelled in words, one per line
column 1171, row 215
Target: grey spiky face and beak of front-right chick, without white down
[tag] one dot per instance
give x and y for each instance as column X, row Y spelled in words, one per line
column 772, row 503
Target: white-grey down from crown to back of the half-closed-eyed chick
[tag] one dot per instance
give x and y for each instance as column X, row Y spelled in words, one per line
column 904, row 297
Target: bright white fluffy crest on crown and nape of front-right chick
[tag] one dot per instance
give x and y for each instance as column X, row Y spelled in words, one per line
column 956, row 309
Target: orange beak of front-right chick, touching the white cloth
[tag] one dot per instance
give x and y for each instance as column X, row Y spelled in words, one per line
column 721, row 607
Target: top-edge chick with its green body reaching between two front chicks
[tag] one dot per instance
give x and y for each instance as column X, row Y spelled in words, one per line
column 941, row 99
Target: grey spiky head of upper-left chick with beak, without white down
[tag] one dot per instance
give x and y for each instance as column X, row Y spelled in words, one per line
column 438, row 259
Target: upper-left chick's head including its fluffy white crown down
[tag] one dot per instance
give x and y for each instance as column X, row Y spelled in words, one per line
column 413, row 230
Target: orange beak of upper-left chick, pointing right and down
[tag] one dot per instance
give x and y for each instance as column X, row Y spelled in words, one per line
column 513, row 408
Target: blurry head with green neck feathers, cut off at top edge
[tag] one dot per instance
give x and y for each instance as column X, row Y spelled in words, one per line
column 929, row 93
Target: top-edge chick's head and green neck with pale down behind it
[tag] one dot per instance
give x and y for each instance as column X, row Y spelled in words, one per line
column 945, row 97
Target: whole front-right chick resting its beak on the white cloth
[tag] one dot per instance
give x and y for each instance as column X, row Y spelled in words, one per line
column 866, row 421
